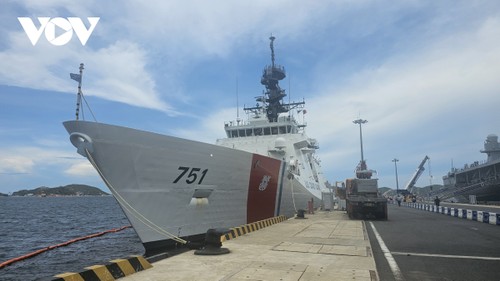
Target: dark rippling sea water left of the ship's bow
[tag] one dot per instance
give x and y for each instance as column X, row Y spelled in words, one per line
column 28, row 224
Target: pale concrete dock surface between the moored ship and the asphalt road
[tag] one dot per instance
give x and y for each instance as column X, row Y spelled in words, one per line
column 324, row 246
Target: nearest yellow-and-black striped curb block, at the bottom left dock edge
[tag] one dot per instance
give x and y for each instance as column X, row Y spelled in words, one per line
column 112, row 271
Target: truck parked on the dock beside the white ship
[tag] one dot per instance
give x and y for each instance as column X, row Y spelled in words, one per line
column 362, row 197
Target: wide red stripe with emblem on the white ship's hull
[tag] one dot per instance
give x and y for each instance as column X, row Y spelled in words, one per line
column 262, row 188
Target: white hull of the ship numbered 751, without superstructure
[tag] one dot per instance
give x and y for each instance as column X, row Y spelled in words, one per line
column 171, row 187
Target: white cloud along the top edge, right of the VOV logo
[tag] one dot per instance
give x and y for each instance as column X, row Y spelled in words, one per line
column 195, row 29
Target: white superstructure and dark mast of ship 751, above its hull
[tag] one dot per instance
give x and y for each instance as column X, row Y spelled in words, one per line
column 272, row 130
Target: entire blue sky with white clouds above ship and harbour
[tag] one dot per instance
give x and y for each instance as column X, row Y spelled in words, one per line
column 425, row 74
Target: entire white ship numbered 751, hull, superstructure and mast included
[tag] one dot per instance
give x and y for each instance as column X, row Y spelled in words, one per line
column 173, row 190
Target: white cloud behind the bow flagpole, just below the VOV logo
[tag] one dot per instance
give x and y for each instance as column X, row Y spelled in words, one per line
column 117, row 72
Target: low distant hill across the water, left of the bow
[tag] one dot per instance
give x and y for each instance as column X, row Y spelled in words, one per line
column 67, row 190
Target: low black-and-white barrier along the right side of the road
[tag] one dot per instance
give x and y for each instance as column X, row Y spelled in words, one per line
column 480, row 216
